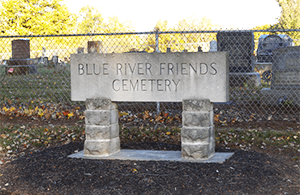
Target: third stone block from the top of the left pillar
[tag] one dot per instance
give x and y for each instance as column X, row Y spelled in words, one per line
column 94, row 132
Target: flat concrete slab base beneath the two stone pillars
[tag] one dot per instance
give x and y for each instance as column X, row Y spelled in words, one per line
column 153, row 155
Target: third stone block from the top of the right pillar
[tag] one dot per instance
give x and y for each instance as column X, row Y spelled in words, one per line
column 195, row 134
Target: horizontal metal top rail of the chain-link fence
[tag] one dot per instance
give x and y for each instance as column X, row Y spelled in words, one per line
column 149, row 32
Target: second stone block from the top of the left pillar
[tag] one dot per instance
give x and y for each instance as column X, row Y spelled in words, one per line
column 97, row 117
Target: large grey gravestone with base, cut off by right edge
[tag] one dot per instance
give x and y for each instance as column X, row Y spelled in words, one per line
column 285, row 83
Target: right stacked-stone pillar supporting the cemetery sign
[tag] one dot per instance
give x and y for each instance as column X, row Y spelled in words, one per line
column 197, row 133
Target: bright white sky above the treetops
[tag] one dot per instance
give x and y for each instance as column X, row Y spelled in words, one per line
column 143, row 15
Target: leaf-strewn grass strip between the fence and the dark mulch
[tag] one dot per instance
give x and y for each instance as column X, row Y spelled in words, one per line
column 16, row 139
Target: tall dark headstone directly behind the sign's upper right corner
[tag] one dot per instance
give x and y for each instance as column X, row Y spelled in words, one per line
column 240, row 46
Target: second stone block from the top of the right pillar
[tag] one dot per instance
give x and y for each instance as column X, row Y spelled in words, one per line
column 200, row 119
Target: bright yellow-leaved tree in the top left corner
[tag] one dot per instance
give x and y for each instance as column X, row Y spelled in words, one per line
column 23, row 17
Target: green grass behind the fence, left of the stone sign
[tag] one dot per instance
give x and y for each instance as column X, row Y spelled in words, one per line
column 49, row 85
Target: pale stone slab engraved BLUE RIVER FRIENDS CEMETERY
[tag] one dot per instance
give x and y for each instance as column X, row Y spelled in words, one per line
column 164, row 77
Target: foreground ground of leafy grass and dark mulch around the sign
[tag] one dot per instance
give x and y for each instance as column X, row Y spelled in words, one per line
column 33, row 160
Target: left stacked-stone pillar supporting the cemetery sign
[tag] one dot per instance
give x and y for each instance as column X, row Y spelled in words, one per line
column 101, row 128
